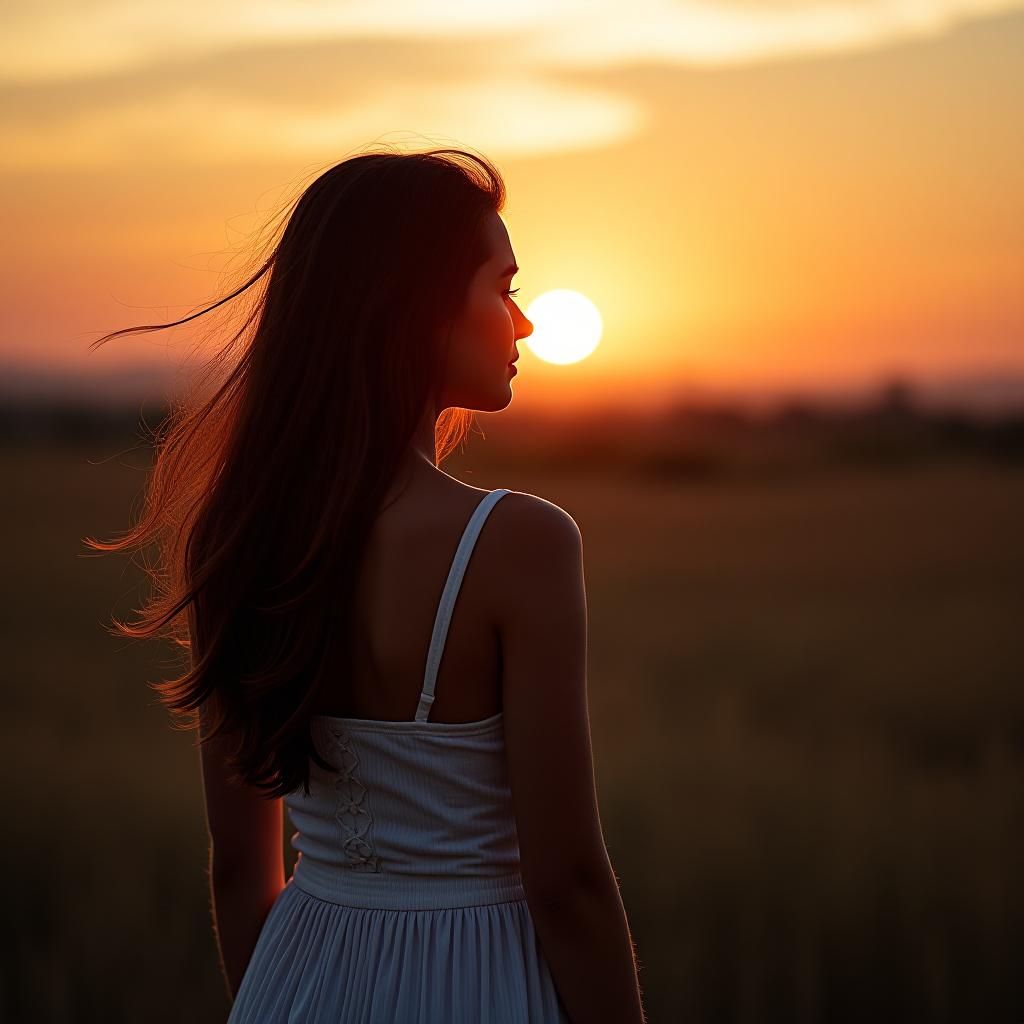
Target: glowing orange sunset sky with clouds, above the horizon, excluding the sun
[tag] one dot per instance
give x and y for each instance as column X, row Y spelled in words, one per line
column 755, row 195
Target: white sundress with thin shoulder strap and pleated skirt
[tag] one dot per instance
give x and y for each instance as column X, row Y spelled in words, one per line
column 407, row 905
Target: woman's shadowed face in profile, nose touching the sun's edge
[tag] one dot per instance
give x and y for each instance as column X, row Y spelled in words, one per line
column 484, row 339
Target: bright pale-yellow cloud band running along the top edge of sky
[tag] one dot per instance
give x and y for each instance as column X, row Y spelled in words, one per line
column 58, row 39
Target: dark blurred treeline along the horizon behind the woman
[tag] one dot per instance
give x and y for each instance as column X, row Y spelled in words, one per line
column 693, row 440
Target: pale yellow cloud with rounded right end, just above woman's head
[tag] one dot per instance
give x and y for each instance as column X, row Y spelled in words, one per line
column 307, row 102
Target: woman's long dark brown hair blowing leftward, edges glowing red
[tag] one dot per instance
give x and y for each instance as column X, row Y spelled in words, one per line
column 272, row 467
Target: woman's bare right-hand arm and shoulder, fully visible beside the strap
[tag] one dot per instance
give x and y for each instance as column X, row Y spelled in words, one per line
column 572, row 891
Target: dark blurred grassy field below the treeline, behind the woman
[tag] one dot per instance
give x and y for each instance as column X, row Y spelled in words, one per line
column 808, row 724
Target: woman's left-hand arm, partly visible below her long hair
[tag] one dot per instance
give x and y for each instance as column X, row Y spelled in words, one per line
column 247, row 865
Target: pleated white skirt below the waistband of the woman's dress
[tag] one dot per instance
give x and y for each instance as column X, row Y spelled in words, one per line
column 323, row 963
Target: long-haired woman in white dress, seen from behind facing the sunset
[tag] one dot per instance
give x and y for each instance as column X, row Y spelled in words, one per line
column 397, row 657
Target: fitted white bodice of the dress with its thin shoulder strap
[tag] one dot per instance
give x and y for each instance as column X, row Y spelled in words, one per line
column 415, row 815
